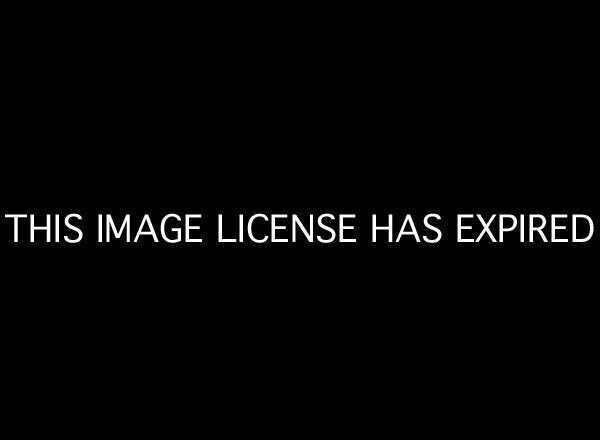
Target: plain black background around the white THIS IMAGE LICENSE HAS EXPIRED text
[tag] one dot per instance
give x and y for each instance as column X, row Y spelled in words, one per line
column 381, row 113
